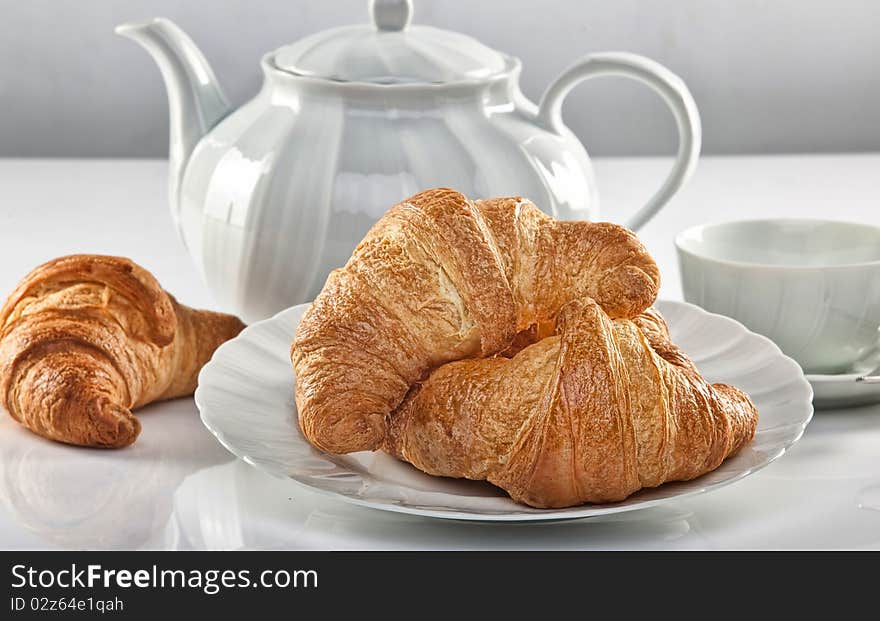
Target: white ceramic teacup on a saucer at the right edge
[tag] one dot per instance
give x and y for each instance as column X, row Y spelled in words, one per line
column 812, row 286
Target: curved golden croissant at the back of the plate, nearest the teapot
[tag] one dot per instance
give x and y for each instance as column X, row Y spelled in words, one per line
column 441, row 278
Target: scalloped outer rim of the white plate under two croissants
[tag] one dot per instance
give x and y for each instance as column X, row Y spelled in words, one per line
column 526, row 514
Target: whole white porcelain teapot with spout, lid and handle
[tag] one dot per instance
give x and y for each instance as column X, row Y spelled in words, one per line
column 270, row 197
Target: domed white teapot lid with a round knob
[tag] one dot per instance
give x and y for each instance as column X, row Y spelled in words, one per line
column 390, row 51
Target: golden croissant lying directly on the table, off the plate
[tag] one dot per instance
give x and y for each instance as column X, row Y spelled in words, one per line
column 85, row 339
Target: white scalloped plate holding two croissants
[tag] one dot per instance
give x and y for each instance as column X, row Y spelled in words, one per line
column 245, row 397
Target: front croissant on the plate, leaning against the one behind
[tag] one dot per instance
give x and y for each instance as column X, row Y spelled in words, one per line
column 592, row 414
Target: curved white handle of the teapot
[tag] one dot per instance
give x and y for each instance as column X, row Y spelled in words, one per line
column 668, row 85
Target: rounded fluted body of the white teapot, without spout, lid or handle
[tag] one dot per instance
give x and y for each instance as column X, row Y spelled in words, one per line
column 280, row 192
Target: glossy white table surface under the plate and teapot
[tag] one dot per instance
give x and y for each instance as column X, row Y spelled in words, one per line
column 178, row 488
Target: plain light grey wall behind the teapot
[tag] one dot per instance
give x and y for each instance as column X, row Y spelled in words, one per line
column 769, row 76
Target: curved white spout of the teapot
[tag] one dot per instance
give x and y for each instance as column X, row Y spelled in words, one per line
column 195, row 101
